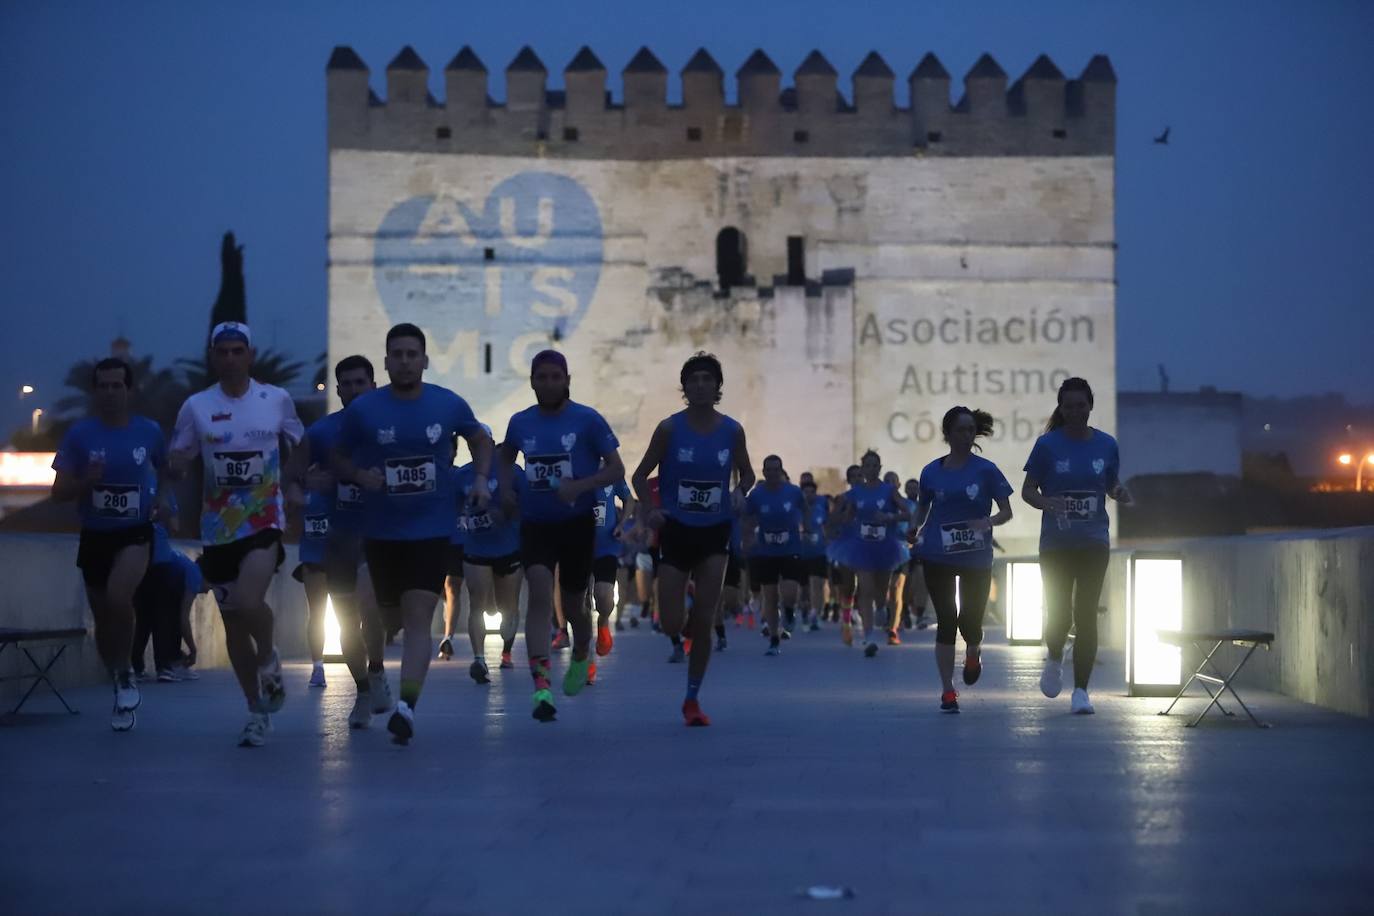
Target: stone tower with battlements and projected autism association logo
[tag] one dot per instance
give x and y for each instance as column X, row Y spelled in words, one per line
column 859, row 267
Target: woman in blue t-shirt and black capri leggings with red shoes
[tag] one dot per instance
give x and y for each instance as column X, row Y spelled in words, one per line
column 954, row 542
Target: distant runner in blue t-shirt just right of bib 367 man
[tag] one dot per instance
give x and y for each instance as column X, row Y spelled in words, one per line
column 776, row 509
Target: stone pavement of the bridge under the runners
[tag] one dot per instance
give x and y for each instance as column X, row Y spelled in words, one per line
column 822, row 768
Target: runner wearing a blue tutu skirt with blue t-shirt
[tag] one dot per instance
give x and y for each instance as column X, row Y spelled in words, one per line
column 869, row 513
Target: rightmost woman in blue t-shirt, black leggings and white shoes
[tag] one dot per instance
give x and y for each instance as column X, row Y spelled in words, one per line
column 1071, row 473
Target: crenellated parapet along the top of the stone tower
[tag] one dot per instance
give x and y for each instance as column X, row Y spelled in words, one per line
column 1042, row 115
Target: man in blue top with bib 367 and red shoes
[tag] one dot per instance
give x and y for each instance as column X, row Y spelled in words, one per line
column 699, row 453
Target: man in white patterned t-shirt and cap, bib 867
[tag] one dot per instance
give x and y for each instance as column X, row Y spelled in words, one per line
column 243, row 432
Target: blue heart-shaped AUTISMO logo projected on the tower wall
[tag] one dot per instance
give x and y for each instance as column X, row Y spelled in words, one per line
column 510, row 271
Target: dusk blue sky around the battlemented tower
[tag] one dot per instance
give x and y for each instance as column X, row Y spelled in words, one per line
column 137, row 134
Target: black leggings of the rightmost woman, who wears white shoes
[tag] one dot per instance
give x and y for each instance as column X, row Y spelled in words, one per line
column 1072, row 587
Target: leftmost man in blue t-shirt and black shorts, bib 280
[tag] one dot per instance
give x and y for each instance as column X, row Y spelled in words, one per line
column 109, row 465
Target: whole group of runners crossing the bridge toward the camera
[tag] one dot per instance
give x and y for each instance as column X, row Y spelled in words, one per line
column 392, row 527
